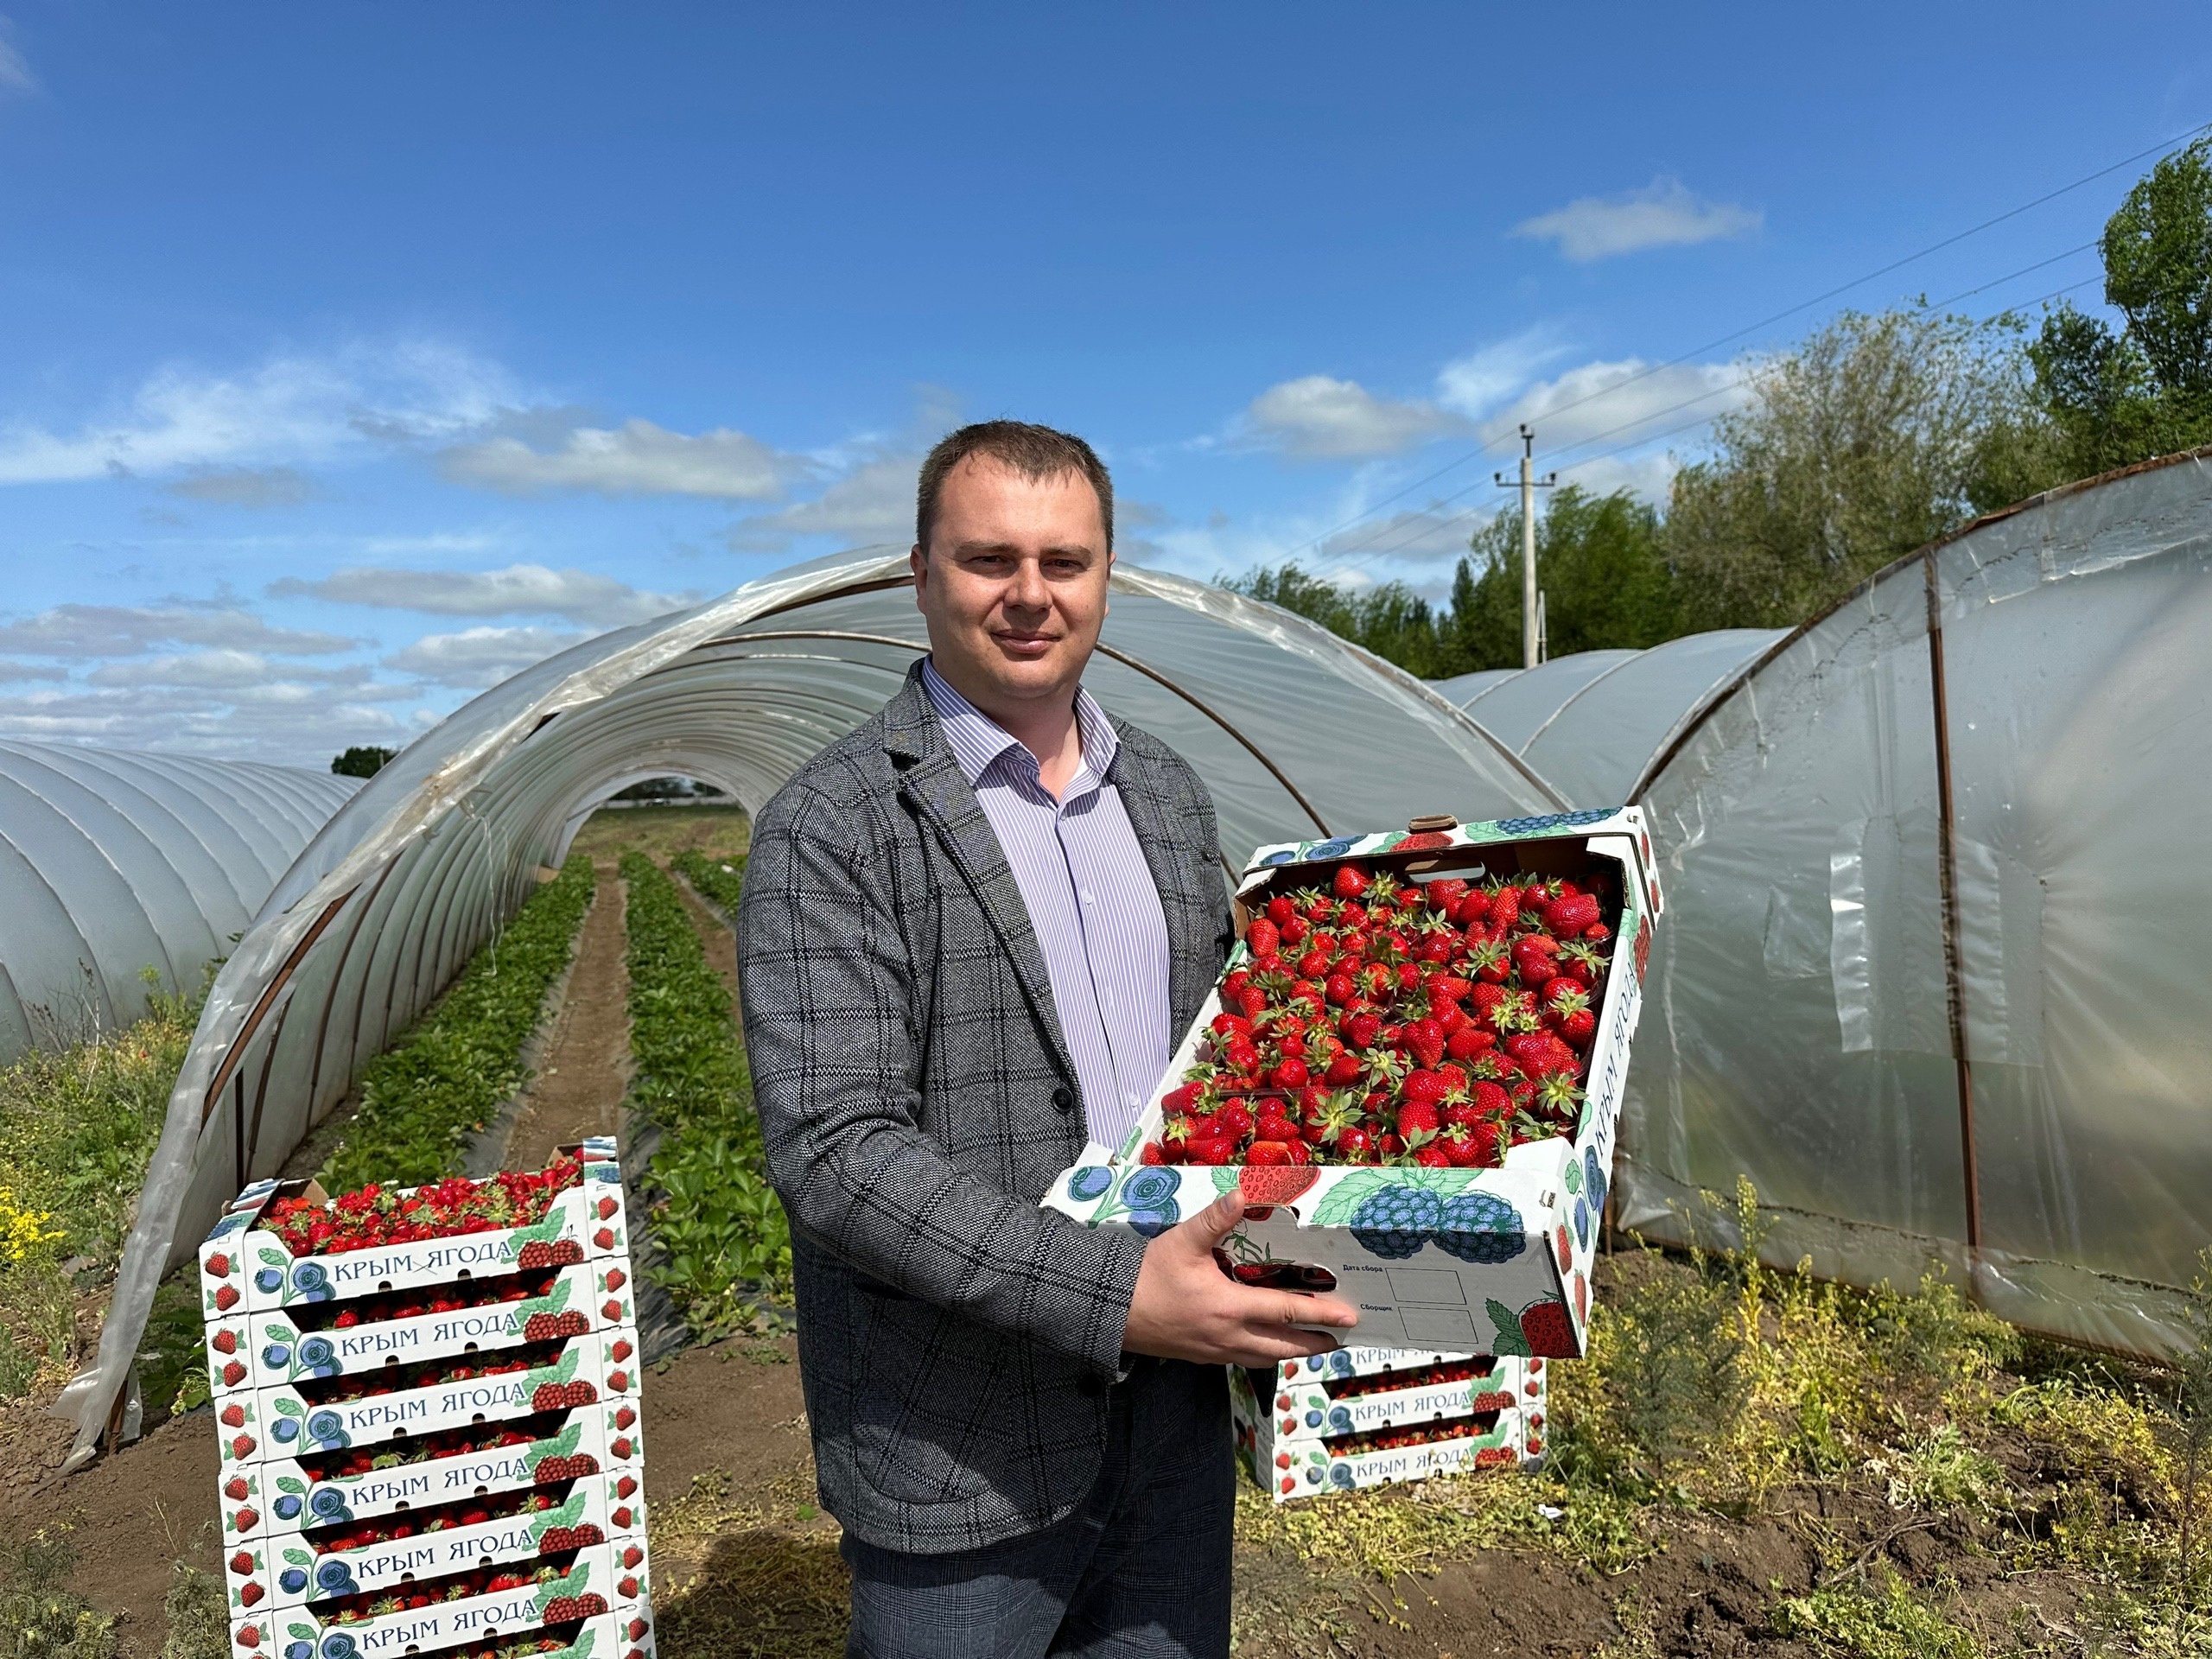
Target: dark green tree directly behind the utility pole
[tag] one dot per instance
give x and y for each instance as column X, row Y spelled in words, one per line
column 1600, row 565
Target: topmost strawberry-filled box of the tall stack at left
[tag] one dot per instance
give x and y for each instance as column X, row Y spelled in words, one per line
column 286, row 1242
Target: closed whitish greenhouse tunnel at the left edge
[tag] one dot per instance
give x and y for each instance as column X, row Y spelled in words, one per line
column 114, row 864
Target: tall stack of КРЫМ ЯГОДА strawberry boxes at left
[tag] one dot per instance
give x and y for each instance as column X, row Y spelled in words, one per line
column 428, row 1417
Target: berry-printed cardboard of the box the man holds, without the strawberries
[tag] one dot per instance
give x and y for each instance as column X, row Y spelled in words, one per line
column 1454, row 1260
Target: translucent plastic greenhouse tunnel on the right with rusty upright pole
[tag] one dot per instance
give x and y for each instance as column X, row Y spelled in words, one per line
column 1934, row 970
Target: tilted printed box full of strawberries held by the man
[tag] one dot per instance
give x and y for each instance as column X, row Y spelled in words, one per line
column 1415, row 1070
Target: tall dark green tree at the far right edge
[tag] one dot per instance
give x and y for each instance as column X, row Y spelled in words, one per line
column 2118, row 397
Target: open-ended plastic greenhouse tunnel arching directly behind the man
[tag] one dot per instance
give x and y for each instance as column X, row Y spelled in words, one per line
column 1295, row 731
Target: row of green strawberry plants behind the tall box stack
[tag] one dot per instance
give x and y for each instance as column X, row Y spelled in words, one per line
column 439, row 1085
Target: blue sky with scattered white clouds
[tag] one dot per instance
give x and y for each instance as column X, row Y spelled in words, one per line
column 362, row 355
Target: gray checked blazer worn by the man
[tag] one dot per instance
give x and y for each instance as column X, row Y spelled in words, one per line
column 917, row 1098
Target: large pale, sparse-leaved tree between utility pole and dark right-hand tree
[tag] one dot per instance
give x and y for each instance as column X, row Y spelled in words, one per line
column 1870, row 439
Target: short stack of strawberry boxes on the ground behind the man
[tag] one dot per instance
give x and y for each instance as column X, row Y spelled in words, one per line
column 1412, row 1430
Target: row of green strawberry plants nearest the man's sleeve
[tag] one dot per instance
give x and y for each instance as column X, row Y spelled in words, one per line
column 716, row 1215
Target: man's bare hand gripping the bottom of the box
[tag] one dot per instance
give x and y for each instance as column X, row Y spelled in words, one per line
column 1189, row 1311
